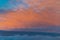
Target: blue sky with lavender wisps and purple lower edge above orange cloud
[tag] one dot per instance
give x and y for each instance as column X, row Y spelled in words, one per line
column 10, row 4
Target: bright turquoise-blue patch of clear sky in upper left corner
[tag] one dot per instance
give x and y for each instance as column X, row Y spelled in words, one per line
column 5, row 4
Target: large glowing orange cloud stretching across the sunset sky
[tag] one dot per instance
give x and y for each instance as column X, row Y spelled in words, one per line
column 26, row 17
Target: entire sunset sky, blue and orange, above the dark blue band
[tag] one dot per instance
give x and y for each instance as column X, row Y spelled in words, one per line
column 18, row 14
